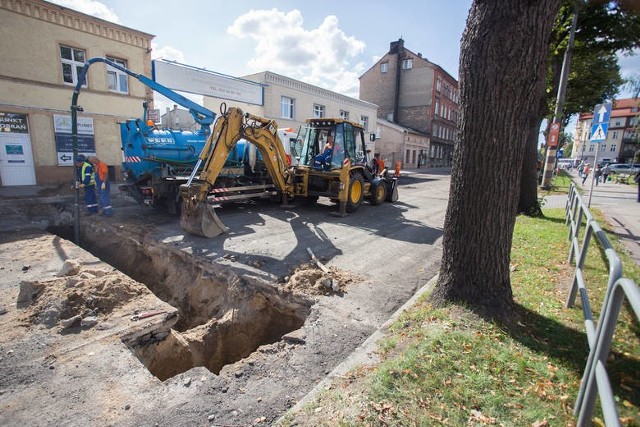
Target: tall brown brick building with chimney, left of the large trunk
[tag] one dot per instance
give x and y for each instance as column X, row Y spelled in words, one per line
column 415, row 93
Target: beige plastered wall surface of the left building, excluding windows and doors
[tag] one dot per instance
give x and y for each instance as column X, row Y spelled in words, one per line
column 31, row 79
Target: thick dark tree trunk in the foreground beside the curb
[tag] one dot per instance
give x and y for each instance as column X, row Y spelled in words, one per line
column 502, row 71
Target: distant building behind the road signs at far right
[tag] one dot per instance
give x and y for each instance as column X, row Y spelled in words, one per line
column 622, row 143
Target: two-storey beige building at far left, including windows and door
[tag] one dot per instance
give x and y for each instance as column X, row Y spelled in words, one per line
column 44, row 47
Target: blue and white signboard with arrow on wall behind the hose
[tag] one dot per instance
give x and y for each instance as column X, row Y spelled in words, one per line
column 64, row 140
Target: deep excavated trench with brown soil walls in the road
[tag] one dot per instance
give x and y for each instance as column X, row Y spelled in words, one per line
column 223, row 316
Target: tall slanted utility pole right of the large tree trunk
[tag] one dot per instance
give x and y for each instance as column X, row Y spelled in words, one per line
column 552, row 146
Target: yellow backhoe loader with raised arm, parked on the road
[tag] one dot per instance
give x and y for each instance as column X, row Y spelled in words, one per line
column 333, row 163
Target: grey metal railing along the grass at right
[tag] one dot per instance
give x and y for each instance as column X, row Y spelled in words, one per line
column 600, row 334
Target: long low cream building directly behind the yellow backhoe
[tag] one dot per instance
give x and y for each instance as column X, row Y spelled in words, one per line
column 290, row 102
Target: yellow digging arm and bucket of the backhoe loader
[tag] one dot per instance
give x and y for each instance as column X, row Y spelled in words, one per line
column 197, row 216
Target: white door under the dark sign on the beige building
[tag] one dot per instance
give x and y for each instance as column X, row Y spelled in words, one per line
column 16, row 159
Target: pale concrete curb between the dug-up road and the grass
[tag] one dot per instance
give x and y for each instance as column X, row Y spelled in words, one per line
column 365, row 355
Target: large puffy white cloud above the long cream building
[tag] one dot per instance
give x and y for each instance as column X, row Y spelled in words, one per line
column 322, row 56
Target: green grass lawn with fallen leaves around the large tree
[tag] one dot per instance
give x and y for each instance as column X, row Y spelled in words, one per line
column 449, row 367
